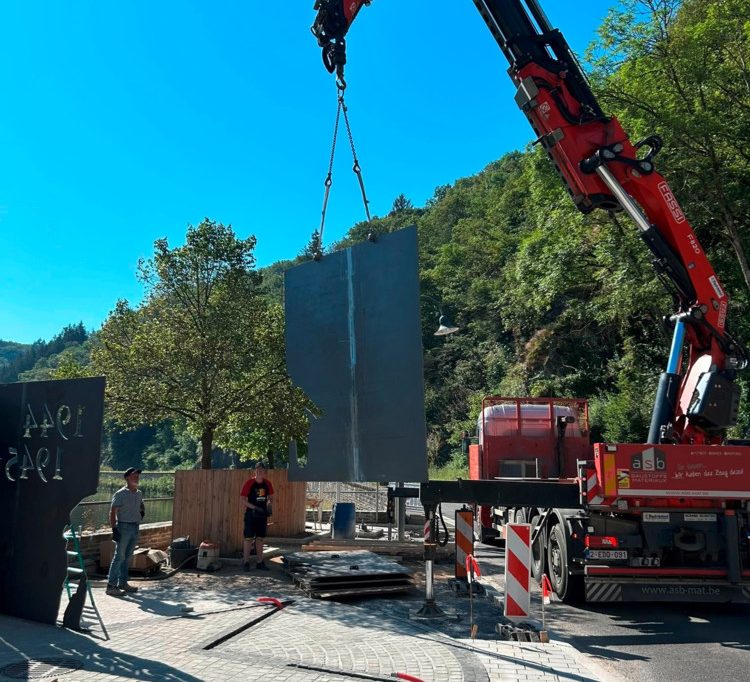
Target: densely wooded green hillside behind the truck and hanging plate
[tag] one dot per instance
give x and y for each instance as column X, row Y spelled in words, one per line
column 551, row 302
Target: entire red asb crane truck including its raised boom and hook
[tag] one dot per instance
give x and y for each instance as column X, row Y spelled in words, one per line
column 665, row 520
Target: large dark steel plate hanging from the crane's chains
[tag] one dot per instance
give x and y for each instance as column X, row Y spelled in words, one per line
column 354, row 345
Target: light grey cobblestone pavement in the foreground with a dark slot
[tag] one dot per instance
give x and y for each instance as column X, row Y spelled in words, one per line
column 197, row 626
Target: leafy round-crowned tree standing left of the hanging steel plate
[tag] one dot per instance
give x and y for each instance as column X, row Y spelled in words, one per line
column 204, row 347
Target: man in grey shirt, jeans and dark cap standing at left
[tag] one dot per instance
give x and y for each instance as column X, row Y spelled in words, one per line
column 125, row 516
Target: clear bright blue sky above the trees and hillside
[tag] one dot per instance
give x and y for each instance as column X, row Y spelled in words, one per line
column 125, row 121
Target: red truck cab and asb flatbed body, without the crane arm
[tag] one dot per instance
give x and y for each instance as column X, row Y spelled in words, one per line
column 656, row 523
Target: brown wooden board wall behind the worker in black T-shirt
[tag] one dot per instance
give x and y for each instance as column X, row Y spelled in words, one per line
column 207, row 506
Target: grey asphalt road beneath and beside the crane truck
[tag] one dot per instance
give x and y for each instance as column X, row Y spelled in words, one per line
column 648, row 642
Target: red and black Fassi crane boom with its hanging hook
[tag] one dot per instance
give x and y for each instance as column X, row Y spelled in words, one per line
column 697, row 400
